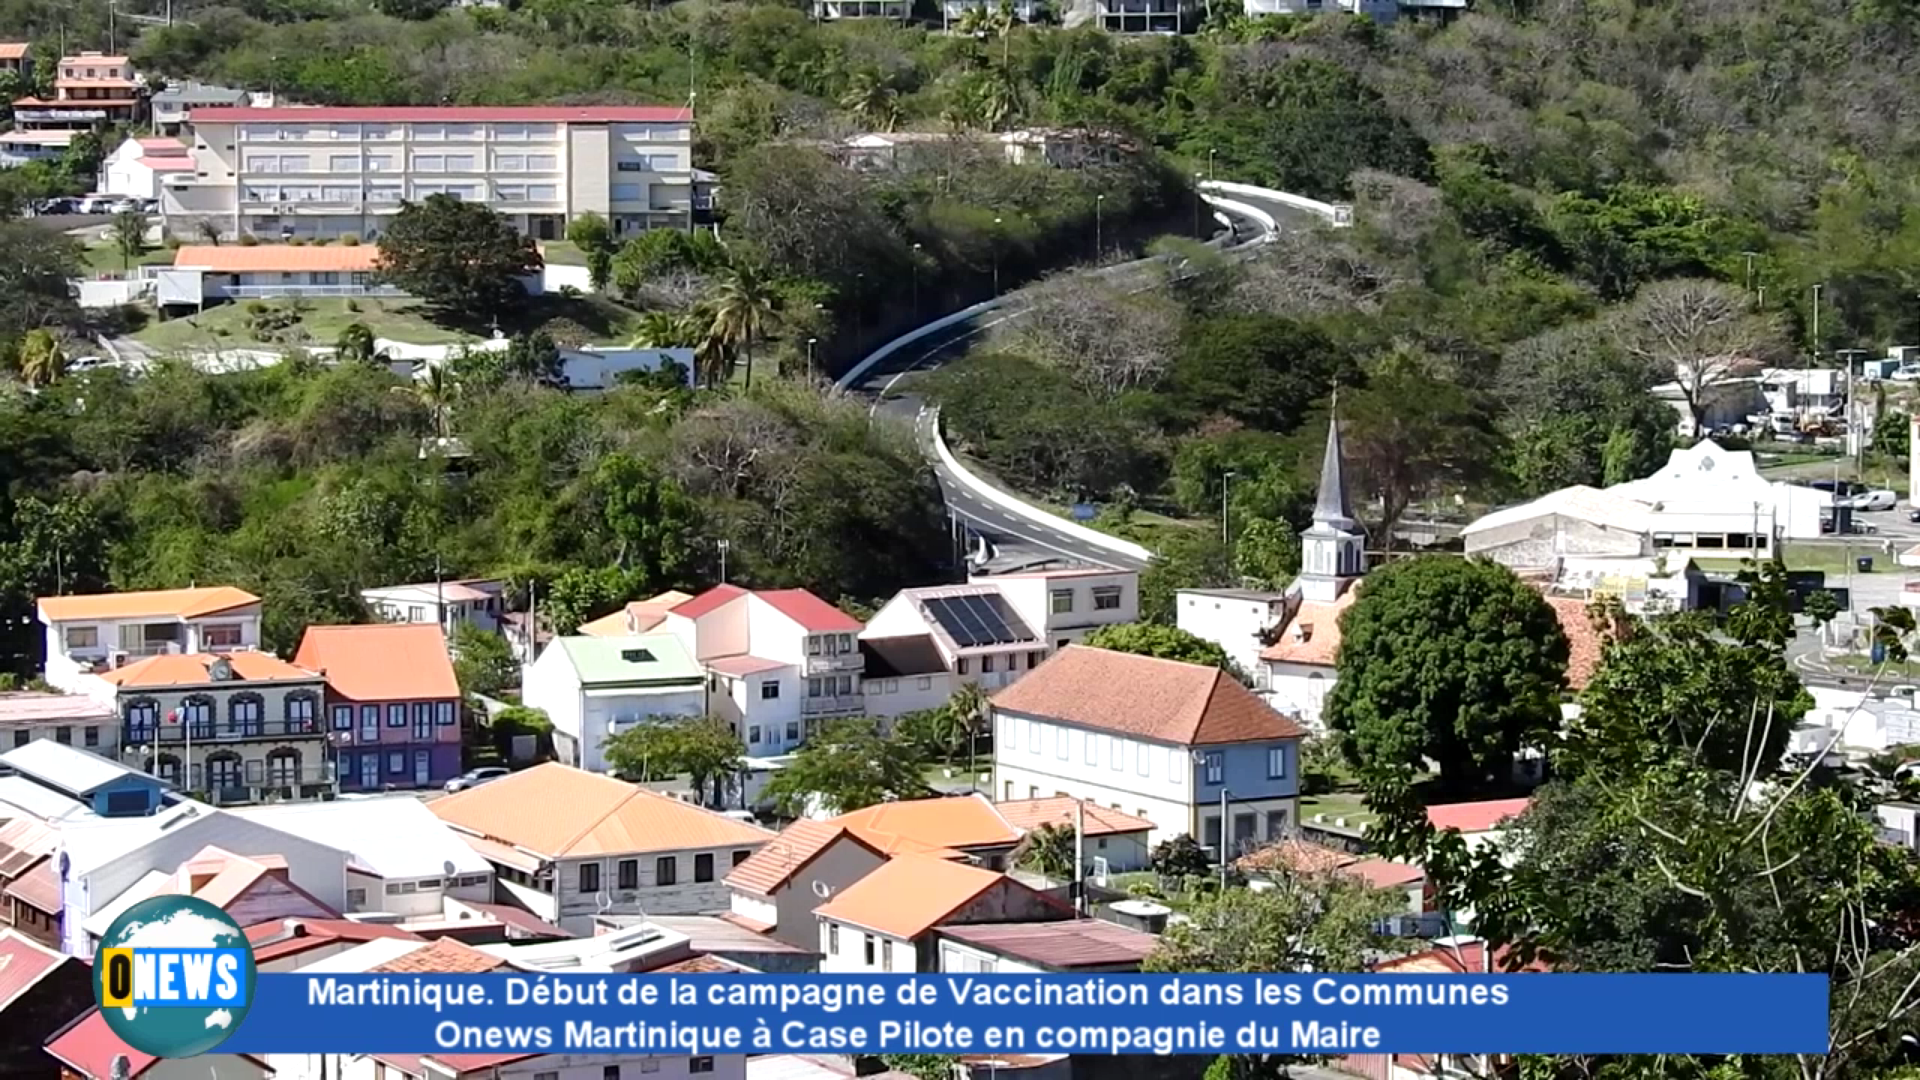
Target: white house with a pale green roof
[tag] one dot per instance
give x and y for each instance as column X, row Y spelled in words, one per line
column 592, row 689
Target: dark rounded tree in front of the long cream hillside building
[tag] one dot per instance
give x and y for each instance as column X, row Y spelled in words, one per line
column 458, row 257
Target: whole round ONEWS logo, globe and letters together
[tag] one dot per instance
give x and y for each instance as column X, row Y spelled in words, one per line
column 174, row 977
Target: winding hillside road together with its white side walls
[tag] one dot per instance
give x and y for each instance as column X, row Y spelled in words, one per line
column 1013, row 539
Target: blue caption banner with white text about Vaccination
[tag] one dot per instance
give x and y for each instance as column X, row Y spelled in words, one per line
column 1040, row 1014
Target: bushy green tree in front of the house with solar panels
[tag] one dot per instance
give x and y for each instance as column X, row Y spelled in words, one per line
column 844, row 768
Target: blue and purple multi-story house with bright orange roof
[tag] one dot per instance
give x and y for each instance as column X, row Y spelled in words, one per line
column 393, row 704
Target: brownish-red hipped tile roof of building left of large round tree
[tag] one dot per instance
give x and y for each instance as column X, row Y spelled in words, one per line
column 1163, row 700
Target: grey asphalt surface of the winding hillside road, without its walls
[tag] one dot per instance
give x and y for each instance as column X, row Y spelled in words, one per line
column 1013, row 541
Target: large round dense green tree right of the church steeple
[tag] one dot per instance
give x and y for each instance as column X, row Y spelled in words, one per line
column 1447, row 660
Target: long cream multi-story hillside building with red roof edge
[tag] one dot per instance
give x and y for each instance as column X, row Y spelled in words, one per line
column 331, row 172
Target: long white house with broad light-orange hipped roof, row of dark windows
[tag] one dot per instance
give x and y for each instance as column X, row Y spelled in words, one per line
column 569, row 847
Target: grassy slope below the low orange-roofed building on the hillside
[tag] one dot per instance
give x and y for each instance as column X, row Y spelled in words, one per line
column 592, row 320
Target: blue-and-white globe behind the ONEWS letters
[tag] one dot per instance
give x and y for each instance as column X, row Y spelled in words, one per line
column 172, row 923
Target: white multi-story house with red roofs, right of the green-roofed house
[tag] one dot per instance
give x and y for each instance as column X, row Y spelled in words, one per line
column 779, row 662
